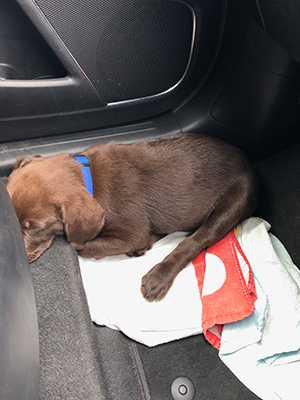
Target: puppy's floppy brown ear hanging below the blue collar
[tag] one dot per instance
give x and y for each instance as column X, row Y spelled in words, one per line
column 83, row 218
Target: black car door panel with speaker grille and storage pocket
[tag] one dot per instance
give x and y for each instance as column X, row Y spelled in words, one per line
column 101, row 60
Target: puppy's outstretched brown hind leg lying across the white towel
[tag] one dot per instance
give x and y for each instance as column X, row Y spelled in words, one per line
column 238, row 203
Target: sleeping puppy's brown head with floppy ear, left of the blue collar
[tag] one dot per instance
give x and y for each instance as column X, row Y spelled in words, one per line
column 50, row 199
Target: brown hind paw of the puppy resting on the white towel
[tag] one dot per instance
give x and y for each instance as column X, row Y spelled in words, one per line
column 155, row 285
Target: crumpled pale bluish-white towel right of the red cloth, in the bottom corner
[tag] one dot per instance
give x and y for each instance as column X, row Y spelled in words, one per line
column 263, row 350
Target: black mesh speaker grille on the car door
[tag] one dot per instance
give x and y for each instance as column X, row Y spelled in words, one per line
column 128, row 49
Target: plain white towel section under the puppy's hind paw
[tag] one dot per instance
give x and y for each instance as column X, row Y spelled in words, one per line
column 112, row 286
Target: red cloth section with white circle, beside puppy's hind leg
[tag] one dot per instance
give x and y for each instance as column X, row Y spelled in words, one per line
column 234, row 299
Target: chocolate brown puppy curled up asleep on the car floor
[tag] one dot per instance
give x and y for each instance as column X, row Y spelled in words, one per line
column 142, row 191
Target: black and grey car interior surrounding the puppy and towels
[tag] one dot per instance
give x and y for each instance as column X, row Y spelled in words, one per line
column 76, row 73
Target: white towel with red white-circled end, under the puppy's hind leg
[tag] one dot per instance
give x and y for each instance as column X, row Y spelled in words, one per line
column 113, row 292
